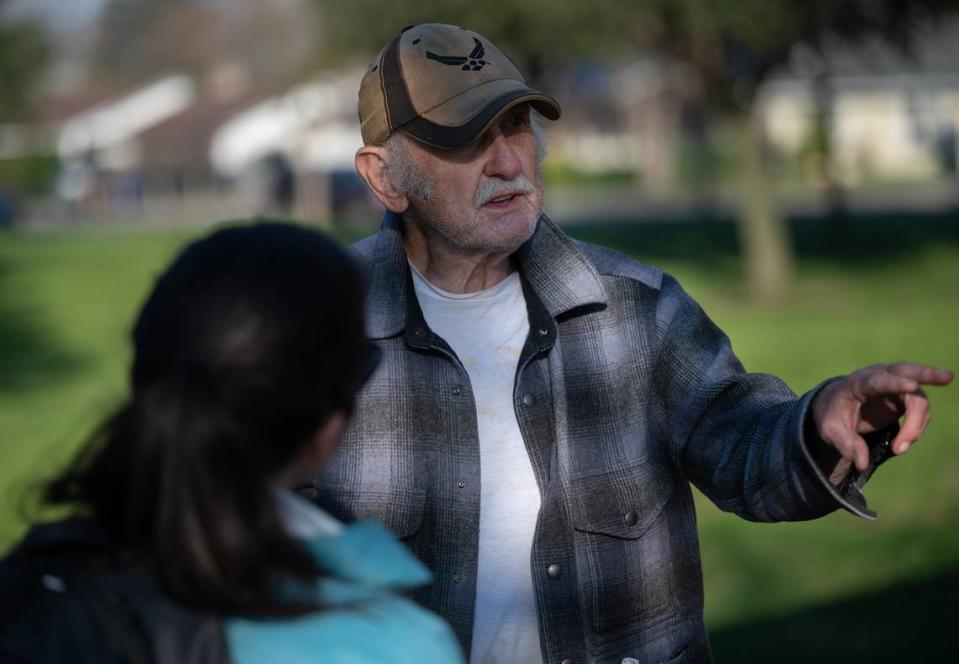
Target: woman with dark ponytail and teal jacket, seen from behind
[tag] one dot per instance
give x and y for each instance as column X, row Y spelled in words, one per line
column 187, row 545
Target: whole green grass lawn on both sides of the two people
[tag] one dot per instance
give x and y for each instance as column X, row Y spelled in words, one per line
column 836, row 588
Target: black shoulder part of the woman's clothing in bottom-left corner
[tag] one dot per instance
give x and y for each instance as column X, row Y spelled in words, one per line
column 68, row 597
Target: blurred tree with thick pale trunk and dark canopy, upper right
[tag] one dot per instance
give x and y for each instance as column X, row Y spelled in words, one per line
column 736, row 45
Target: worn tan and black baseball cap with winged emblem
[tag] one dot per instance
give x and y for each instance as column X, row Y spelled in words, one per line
column 443, row 86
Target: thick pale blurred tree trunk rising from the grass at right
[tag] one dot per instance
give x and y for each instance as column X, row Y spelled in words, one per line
column 763, row 235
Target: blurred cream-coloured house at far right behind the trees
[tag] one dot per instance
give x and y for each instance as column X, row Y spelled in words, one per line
column 880, row 114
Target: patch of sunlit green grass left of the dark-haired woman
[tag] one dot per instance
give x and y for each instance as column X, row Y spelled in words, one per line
column 67, row 300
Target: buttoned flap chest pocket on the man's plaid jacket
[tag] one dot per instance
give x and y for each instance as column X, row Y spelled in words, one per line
column 635, row 541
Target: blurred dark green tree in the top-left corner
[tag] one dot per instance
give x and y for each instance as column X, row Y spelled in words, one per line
column 24, row 53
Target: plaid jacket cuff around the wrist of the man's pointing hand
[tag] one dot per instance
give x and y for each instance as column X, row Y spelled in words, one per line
column 848, row 493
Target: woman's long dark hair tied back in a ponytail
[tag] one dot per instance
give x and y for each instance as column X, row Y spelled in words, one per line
column 248, row 343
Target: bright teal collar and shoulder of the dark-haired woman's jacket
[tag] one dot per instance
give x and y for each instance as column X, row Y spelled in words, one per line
column 365, row 619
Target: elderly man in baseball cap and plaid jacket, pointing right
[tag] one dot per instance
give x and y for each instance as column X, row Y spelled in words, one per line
column 543, row 405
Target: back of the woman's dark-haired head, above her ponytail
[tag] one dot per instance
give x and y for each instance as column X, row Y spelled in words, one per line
column 259, row 324
